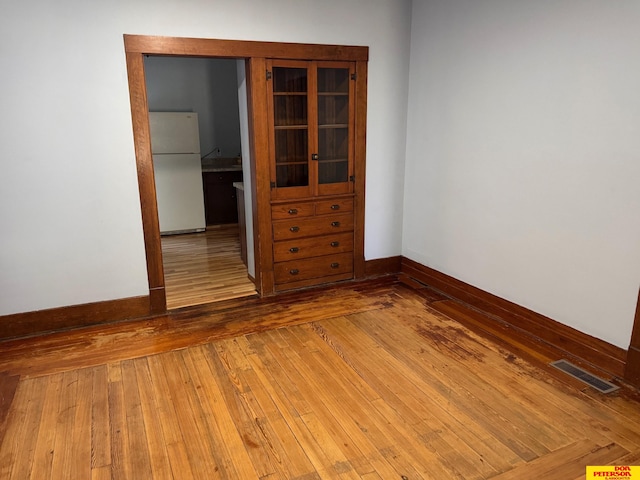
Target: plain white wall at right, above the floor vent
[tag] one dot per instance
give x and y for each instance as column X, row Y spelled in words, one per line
column 523, row 154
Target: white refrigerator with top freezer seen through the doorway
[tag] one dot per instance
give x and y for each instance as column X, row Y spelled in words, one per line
column 175, row 145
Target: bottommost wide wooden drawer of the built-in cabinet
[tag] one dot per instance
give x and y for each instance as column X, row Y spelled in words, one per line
column 315, row 267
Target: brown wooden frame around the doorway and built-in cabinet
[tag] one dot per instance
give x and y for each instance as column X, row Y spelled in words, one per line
column 255, row 55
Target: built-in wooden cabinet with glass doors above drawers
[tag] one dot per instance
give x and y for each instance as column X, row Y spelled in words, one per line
column 311, row 108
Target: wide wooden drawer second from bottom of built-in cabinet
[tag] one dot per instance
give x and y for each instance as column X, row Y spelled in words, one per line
column 312, row 247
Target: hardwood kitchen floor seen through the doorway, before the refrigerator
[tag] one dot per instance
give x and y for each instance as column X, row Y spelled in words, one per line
column 204, row 267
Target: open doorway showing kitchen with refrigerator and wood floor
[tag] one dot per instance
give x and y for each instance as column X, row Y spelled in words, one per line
column 206, row 95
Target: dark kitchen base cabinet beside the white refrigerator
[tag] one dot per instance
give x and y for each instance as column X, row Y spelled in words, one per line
column 220, row 204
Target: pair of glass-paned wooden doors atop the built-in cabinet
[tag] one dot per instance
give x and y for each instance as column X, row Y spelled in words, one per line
column 313, row 111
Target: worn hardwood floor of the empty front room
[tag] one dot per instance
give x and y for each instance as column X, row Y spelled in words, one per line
column 361, row 380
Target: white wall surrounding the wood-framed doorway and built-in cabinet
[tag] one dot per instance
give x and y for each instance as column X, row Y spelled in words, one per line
column 69, row 207
